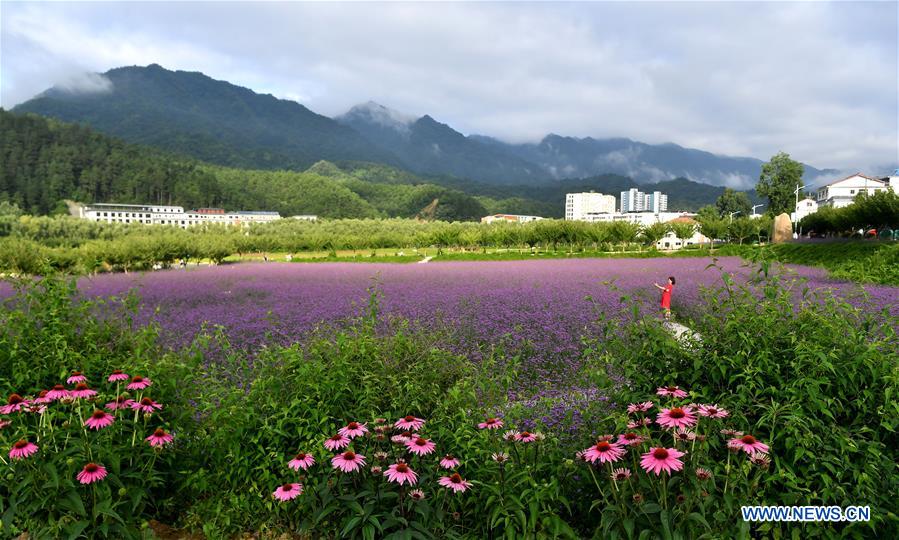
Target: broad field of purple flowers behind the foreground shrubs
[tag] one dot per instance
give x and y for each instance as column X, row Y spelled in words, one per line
column 541, row 302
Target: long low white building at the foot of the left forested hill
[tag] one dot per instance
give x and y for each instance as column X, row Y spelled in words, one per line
column 151, row 214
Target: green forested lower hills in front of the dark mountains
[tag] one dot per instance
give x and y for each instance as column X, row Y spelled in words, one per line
column 44, row 162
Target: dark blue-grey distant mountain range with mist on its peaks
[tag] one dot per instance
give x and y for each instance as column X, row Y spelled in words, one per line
column 218, row 122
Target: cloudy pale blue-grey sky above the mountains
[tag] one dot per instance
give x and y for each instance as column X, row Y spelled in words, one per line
column 817, row 80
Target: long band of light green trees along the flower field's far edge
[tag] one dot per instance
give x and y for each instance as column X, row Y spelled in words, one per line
column 28, row 242
